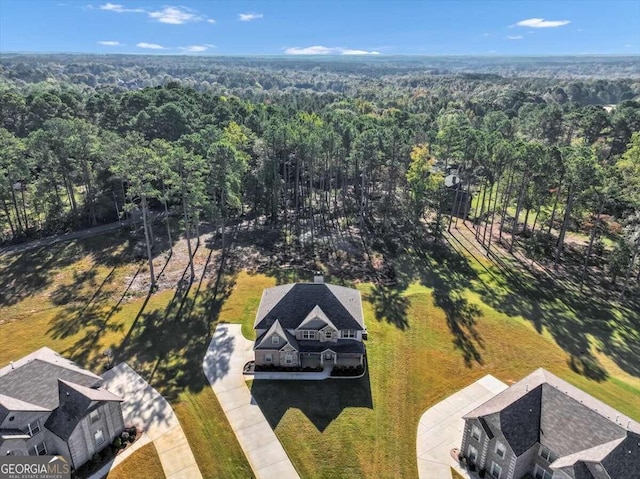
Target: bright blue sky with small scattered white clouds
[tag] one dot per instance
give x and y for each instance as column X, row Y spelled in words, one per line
column 329, row 27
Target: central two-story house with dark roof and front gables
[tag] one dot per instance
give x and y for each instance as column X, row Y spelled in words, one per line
column 310, row 325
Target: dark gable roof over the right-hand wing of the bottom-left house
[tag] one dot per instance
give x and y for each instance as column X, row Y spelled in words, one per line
column 76, row 402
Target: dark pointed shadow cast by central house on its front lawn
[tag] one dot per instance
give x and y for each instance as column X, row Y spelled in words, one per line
column 321, row 401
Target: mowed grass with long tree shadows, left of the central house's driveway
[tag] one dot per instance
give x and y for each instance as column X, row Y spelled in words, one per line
column 71, row 308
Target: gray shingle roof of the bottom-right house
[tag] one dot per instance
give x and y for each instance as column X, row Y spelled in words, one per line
column 574, row 425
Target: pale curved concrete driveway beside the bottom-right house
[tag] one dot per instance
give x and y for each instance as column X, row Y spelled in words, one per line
column 441, row 427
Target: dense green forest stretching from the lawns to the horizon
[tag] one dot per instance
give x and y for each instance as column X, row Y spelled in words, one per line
column 532, row 154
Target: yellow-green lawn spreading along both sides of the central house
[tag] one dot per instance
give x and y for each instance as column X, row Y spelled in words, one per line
column 446, row 324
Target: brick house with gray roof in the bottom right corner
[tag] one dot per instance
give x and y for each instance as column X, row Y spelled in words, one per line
column 545, row 427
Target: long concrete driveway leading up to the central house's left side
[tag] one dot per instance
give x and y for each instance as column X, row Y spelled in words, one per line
column 228, row 352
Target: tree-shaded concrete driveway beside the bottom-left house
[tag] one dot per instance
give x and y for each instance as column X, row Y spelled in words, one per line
column 145, row 408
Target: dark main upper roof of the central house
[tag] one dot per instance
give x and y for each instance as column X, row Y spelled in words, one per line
column 292, row 303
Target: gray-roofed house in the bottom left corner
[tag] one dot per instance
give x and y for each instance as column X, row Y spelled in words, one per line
column 49, row 405
